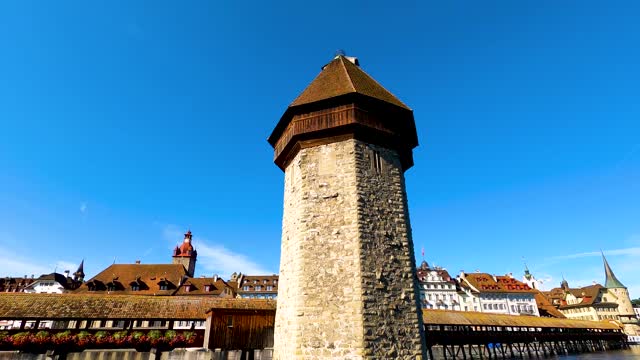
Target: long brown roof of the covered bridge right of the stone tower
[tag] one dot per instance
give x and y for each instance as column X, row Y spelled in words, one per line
column 445, row 317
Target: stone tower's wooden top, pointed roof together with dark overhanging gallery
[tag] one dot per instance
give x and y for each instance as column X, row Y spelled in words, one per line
column 342, row 101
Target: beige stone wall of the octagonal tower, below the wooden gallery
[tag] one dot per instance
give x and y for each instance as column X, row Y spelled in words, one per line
column 347, row 285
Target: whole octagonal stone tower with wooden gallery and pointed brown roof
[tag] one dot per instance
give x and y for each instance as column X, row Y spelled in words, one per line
column 347, row 287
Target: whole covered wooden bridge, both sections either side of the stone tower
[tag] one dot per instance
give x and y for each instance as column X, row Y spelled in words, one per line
column 247, row 325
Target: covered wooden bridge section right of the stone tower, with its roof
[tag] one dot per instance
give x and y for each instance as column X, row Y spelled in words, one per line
column 472, row 335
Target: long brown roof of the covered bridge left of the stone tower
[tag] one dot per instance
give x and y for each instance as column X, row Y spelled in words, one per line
column 85, row 306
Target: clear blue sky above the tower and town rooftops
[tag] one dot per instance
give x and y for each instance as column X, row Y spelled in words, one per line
column 124, row 123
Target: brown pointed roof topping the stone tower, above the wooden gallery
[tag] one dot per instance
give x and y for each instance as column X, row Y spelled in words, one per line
column 341, row 77
